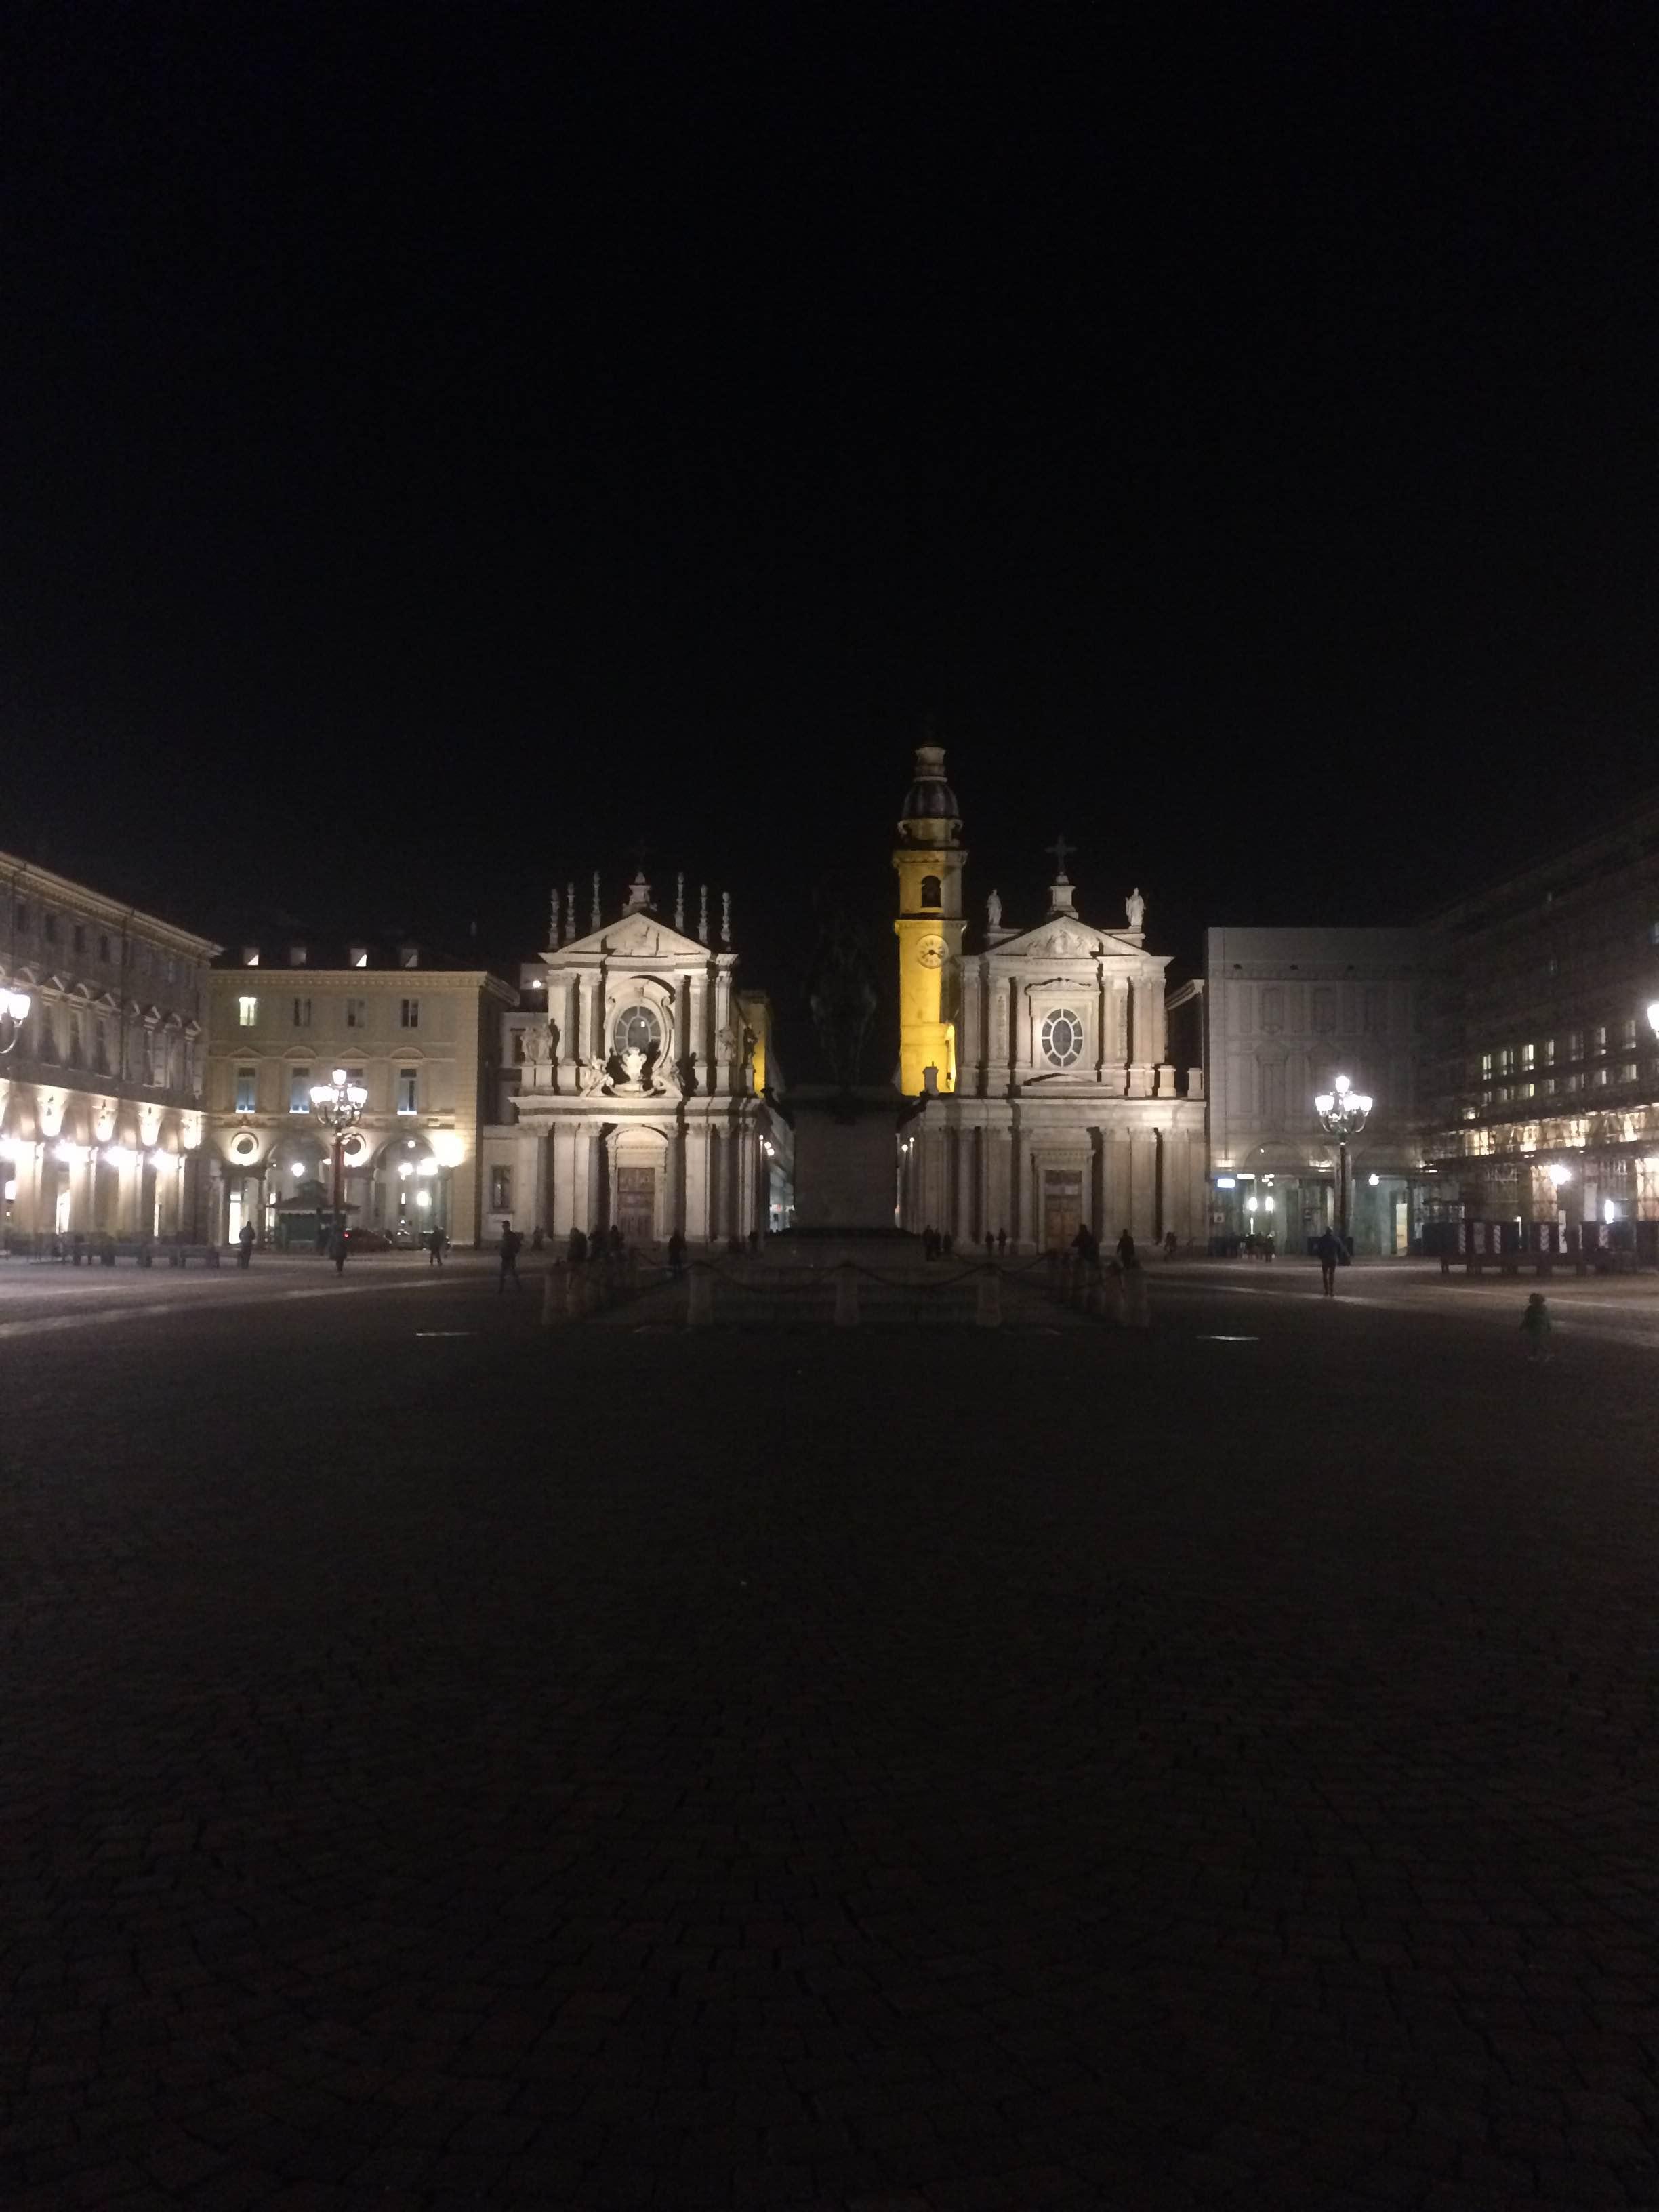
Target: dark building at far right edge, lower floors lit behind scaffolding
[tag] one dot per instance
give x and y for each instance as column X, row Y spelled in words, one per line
column 1543, row 1074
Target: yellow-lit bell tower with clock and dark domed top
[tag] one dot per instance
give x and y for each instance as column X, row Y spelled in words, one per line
column 930, row 926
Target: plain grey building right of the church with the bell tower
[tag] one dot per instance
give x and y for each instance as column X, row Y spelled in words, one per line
column 1282, row 1014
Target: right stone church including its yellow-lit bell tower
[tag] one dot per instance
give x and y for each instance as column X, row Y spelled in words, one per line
column 1041, row 1058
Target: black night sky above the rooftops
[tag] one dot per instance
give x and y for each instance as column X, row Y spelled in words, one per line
column 446, row 446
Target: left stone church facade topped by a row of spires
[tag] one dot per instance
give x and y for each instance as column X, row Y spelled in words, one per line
column 632, row 1089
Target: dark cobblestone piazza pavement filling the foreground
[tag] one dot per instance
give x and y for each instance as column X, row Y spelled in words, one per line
column 459, row 1764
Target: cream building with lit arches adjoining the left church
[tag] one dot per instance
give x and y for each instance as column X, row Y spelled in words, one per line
column 421, row 1036
